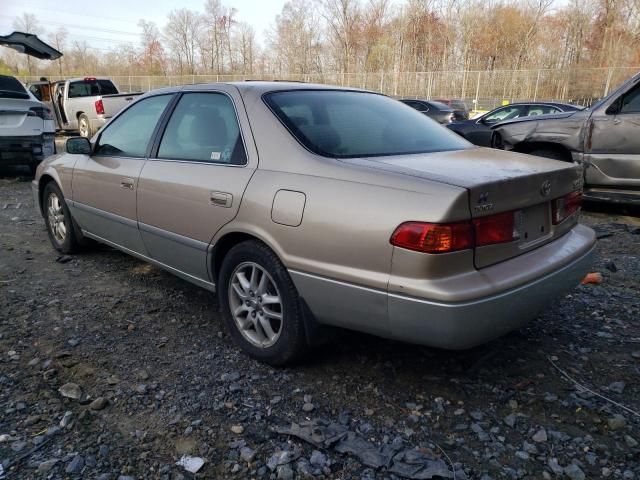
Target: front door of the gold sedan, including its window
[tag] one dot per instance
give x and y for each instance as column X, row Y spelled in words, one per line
column 105, row 184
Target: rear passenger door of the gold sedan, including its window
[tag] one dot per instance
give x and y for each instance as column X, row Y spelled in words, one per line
column 194, row 181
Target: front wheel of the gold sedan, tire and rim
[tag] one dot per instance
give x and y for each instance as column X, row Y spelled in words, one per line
column 61, row 228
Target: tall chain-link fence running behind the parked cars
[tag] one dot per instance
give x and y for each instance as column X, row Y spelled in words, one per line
column 481, row 89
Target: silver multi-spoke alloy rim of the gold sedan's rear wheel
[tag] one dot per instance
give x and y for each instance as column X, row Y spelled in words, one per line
column 255, row 304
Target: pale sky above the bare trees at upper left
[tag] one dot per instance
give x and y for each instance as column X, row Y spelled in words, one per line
column 107, row 23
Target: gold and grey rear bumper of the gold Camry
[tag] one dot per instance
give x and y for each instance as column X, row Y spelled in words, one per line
column 520, row 289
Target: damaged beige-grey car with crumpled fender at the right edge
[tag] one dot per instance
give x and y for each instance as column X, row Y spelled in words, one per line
column 605, row 138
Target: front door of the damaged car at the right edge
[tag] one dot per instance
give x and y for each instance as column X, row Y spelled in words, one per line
column 612, row 145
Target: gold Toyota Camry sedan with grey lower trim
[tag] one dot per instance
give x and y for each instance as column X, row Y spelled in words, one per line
column 305, row 205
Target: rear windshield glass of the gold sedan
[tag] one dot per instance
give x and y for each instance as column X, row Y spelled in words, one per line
column 346, row 124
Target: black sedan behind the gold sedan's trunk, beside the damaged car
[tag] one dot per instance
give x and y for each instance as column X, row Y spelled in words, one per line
column 478, row 130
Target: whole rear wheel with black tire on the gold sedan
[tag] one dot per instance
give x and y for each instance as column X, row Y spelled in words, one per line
column 260, row 304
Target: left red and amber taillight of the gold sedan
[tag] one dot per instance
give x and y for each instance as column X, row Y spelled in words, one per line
column 450, row 237
